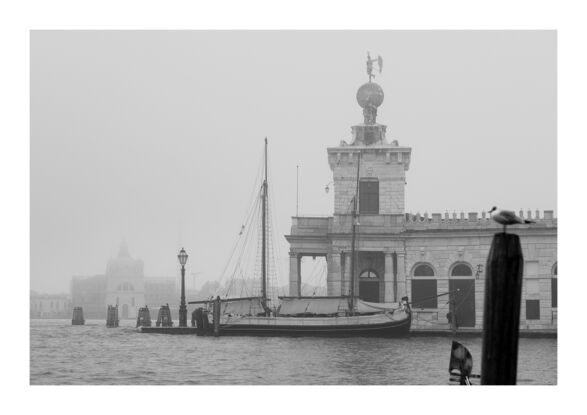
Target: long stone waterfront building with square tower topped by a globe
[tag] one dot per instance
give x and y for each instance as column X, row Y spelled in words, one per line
column 436, row 260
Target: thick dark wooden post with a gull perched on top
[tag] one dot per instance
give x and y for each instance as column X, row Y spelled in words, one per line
column 501, row 317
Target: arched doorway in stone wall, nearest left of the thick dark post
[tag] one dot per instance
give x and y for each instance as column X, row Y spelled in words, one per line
column 462, row 294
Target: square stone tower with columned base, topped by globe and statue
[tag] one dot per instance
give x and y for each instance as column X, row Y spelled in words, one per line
column 373, row 169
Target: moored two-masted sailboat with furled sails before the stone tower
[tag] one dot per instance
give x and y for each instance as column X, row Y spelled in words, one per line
column 327, row 316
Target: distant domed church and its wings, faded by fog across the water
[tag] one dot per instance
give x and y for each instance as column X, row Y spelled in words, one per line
column 124, row 284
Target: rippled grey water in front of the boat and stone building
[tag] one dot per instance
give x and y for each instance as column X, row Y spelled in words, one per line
column 92, row 354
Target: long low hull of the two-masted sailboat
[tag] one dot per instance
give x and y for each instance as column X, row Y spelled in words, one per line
column 337, row 327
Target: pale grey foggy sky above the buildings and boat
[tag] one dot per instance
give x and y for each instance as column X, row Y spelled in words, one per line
column 155, row 137
